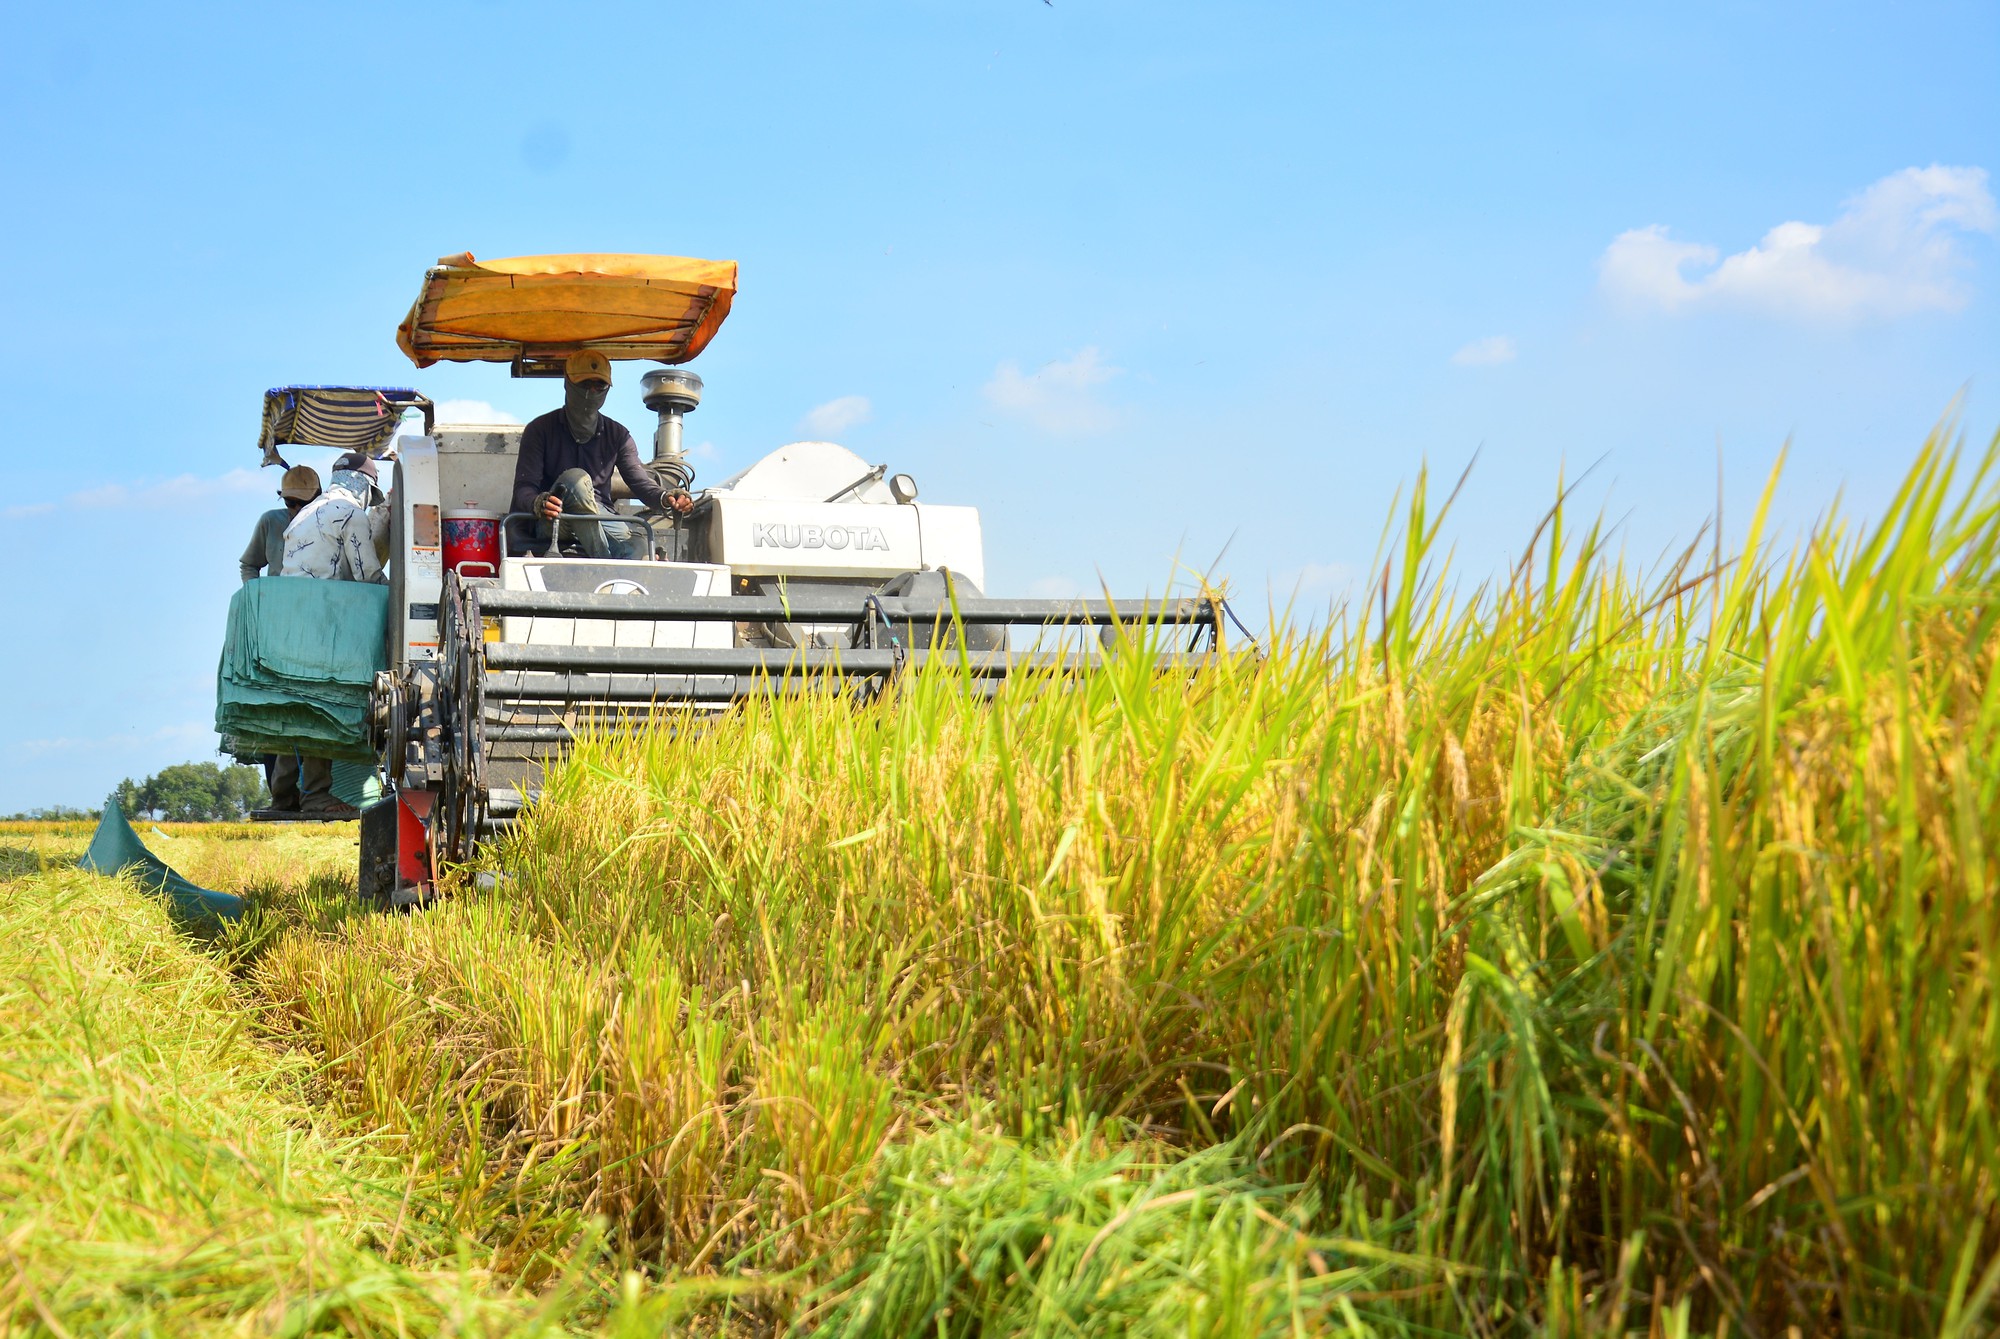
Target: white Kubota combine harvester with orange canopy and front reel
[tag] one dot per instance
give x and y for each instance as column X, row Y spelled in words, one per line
column 807, row 573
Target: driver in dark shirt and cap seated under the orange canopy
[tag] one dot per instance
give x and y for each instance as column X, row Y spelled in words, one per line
column 567, row 461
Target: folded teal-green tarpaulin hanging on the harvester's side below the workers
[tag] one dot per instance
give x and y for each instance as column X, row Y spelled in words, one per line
column 297, row 665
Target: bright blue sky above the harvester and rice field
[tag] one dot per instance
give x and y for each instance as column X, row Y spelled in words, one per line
column 1145, row 283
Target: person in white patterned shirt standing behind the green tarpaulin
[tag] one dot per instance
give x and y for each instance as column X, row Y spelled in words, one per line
column 341, row 537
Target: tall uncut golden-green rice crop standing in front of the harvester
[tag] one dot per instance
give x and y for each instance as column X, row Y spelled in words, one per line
column 1585, row 952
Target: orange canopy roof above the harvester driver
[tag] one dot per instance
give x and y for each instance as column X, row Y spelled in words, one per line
column 541, row 309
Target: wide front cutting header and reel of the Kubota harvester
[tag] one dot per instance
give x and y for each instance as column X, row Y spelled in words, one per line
column 465, row 738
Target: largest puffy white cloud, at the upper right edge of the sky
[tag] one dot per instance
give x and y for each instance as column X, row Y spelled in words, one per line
column 1893, row 251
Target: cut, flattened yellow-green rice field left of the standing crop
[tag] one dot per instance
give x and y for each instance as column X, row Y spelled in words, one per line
column 167, row 1172
